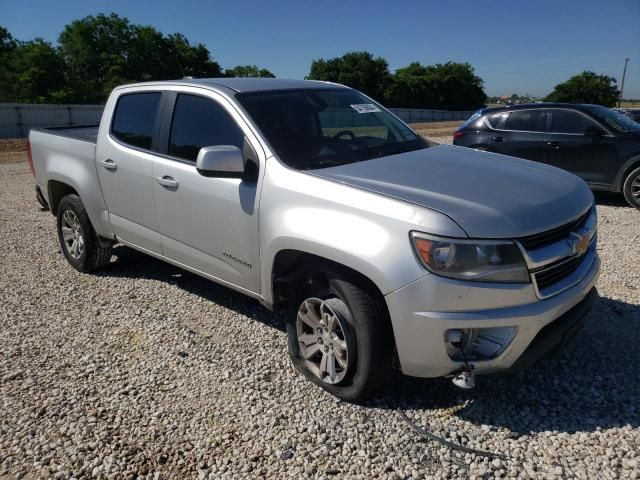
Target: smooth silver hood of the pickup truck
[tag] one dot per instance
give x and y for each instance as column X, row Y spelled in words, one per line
column 488, row 195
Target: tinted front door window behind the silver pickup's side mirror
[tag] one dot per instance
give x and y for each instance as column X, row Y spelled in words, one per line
column 200, row 122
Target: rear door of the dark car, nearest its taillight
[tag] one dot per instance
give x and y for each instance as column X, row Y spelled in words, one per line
column 519, row 133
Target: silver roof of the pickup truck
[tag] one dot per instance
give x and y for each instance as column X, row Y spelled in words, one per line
column 246, row 84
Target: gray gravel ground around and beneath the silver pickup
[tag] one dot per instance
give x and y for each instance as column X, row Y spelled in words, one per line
column 146, row 371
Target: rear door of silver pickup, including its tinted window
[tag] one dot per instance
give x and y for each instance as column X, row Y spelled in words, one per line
column 124, row 162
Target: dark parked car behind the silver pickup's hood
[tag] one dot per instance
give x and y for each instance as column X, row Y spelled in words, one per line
column 596, row 143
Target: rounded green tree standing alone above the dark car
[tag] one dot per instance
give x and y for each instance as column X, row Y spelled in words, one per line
column 587, row 87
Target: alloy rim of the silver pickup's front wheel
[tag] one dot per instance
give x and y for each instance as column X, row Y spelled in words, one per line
column 322, row 340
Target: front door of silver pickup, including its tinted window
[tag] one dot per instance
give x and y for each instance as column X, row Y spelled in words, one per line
column 208, row 224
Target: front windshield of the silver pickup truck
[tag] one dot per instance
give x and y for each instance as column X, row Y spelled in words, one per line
column 318, row 128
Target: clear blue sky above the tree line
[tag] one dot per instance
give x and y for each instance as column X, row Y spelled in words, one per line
column 515, row 46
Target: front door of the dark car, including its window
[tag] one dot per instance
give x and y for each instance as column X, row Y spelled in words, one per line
column 590, row 157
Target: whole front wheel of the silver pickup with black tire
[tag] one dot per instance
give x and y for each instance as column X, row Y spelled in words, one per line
column 366, row 332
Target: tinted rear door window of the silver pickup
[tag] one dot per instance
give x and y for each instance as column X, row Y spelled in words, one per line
column 134, row 118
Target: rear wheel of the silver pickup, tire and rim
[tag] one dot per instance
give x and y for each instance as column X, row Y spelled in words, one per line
column 78, row 240
